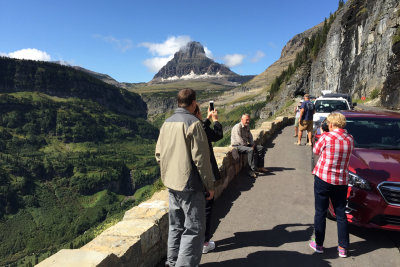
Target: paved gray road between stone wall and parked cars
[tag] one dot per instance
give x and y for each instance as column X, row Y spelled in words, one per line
column 268, row 221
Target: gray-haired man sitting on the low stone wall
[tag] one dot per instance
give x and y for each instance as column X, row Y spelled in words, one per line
column 242, row 139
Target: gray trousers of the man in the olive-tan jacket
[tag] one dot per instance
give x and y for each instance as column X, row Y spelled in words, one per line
column 186, row 228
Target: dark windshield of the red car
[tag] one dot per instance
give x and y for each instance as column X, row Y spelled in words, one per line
column 375, row 133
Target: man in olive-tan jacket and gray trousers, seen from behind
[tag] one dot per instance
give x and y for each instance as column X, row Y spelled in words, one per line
column 183, row 153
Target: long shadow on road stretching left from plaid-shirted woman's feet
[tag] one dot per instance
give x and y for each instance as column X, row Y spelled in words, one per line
column 274, row 237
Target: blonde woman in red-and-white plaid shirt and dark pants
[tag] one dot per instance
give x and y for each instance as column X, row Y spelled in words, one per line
column 331, row 181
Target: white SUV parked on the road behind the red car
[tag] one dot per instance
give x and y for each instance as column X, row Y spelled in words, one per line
column 325, row 105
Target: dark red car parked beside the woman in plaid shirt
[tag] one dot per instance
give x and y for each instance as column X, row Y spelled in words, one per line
column 373, row 197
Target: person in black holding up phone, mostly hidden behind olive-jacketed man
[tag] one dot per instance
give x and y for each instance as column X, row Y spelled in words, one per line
column 213, row 135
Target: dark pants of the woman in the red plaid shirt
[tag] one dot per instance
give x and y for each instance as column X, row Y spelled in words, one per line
column 324, row 191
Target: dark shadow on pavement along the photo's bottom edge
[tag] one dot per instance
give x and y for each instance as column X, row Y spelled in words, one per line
column 273, row 258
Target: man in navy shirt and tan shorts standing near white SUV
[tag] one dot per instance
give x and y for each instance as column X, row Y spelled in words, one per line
column 307, row 111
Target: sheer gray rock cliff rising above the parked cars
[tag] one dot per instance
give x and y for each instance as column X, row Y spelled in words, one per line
column 358, row 55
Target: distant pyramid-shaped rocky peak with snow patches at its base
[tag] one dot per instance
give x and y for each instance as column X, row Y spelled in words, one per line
column 191, row 62
